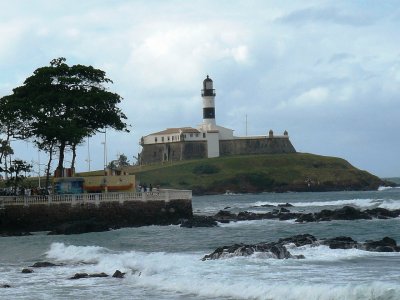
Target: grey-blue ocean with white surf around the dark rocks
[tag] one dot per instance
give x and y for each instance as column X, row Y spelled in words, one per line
column 164, row 262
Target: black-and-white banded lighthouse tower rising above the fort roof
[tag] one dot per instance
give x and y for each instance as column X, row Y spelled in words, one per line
column 208, row 96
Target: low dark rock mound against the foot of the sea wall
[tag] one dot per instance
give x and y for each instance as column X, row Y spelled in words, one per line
column 78, row 227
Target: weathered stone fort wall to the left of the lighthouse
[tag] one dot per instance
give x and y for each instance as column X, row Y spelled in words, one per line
column 156, row 153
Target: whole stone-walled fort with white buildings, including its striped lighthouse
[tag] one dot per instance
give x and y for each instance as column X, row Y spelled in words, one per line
column 208, row 139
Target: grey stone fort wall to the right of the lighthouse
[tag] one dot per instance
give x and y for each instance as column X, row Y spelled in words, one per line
column 256, row 146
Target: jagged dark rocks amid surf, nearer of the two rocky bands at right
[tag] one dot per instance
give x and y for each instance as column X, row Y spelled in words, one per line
column 278, row 249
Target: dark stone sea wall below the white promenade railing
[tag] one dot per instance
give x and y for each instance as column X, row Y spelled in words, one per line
column 42, row 217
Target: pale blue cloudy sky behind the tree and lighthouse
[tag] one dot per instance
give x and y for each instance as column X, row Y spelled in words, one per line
column 328, row 72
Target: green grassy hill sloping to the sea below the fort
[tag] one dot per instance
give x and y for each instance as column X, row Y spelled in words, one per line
column 258, row 173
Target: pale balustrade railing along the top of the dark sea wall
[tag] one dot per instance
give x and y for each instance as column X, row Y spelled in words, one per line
column 74, row 199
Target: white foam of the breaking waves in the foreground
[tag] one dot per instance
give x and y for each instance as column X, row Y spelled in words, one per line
column 255, row 277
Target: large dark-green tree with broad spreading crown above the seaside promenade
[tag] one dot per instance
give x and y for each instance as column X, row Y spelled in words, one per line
column 60, row 105
